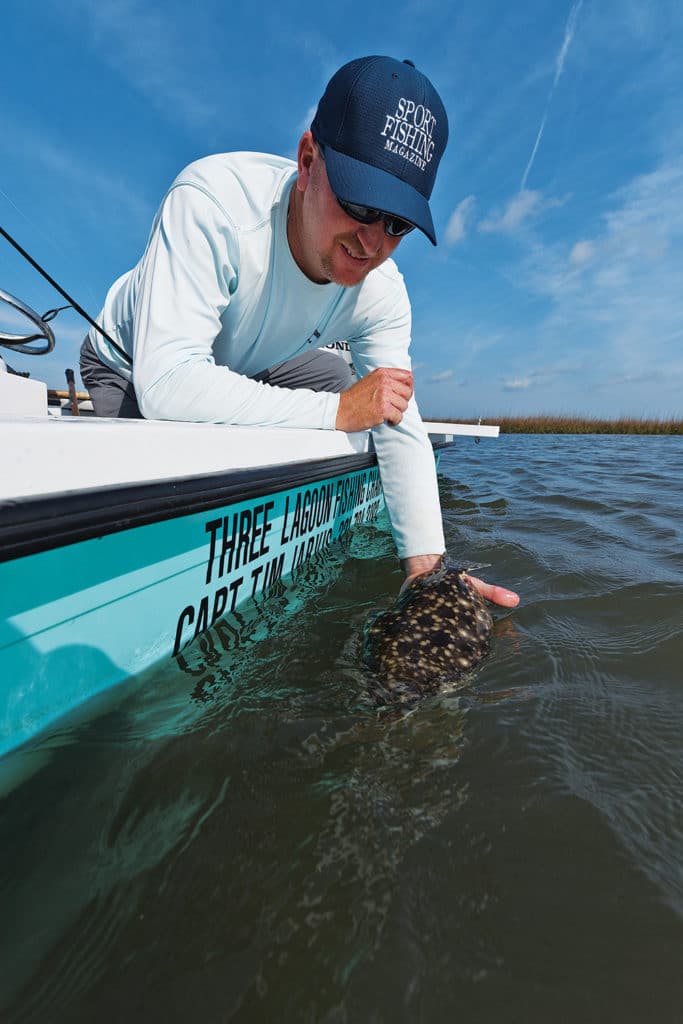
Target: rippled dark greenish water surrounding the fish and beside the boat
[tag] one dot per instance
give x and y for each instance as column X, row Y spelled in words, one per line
column 244, row 838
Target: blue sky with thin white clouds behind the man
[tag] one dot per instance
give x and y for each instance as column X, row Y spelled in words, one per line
column 558, row 285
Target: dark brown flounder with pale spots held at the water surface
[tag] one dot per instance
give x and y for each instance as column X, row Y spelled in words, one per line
column 438, row 630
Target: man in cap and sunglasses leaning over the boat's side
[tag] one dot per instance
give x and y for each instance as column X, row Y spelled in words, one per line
column 254, row 264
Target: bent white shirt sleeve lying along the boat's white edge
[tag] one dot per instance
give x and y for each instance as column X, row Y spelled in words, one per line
column 187, row 277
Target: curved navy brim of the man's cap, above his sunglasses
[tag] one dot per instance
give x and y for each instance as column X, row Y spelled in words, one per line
column 356, row 182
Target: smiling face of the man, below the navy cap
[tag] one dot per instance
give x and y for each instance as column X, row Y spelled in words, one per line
column 328, row 244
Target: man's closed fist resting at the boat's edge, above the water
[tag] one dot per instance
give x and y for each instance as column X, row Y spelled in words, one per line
column 382, row 397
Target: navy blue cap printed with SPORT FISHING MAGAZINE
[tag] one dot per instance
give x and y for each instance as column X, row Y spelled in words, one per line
column 385, row 130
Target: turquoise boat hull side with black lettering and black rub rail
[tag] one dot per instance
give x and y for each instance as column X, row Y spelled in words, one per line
column 98, row 586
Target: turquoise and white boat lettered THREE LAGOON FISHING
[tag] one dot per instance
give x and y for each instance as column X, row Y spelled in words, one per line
column 110, row 566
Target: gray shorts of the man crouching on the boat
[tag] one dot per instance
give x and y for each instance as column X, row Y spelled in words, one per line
column 113, row 396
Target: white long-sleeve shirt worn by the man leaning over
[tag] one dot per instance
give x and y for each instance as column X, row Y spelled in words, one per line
column 218, row 295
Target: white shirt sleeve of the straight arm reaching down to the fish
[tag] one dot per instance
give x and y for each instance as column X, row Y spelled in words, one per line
column 405, row 454
